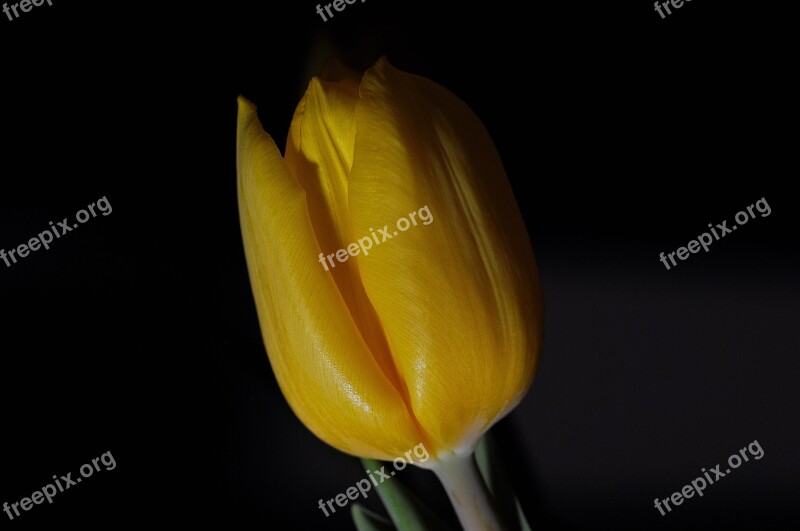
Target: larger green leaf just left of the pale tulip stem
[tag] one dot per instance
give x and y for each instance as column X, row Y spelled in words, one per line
column 406, row 510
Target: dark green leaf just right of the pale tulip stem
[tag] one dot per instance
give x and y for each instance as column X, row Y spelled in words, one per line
column 487, row 455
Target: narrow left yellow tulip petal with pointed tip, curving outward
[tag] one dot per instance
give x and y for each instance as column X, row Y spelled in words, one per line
column 323, row 366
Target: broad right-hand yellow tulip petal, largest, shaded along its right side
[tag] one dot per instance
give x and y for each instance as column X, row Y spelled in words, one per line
column 459, row 297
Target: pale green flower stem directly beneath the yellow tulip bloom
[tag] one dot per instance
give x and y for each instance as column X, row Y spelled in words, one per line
column 468, row 493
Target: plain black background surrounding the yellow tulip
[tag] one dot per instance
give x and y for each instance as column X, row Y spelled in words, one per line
column 623, row 135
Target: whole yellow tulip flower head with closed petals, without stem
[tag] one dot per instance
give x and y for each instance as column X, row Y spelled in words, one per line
column 432, row 336
